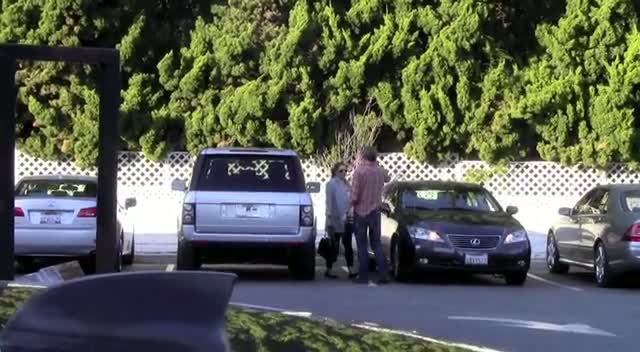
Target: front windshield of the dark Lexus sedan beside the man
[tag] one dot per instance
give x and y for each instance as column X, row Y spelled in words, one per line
column 442, row 198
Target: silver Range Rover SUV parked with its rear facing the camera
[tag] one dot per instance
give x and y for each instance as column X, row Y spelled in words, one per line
column 248, row 206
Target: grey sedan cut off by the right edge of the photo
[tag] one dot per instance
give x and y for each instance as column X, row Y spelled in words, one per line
column 601, row 232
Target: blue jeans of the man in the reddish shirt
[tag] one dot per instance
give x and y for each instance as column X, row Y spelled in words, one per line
column 370, row 222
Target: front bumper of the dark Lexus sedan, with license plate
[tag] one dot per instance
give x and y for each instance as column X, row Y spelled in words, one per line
column 505, row 259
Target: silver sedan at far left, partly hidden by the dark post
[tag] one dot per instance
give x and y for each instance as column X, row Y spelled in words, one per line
column 55, row 217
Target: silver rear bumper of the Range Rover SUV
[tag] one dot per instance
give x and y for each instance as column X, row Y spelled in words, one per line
column 304, row 235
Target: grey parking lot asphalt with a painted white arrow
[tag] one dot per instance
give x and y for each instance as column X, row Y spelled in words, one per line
column 549, row 313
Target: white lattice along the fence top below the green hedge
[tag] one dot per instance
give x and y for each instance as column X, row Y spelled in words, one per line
column 526, row 179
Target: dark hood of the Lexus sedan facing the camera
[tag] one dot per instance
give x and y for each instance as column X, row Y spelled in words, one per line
column 461, row 222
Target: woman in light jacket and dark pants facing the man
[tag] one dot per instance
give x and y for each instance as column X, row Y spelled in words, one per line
column 339, row 222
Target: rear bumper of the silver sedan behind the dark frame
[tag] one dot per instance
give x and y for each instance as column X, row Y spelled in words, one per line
column 55, row 242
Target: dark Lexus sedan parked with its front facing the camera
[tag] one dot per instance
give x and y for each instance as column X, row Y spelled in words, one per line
column 437, row 225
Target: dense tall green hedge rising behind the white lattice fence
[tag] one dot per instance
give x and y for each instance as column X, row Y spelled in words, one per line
column 488, row 79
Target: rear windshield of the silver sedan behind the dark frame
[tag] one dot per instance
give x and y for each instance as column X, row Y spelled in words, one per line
column 57, row 188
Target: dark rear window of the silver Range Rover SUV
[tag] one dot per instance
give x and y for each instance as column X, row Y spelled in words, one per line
column 250, row 173
